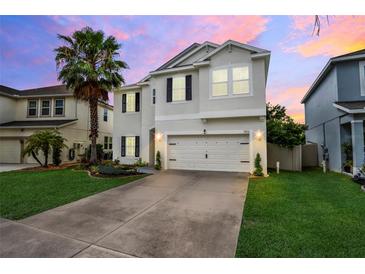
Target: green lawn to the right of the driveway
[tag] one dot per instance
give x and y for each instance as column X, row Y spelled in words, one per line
column 307, row 214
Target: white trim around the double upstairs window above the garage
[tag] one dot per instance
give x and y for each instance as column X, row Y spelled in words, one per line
column 230, row 81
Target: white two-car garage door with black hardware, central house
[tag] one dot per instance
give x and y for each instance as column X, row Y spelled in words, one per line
column 209, row 152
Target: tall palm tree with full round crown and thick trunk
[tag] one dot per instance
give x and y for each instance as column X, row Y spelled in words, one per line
column 87, row 64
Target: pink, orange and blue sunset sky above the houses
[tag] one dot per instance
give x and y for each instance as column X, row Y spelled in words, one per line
column 27, row 43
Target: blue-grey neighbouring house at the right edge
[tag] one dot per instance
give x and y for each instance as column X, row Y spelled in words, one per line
column 335, row 109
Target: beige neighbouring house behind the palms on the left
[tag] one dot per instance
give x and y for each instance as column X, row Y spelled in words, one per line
column 23, row 112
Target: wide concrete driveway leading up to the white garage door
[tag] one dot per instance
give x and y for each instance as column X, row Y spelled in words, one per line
column 170, row 214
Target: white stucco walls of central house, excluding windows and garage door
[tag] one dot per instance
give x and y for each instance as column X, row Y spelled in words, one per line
column 203, row 114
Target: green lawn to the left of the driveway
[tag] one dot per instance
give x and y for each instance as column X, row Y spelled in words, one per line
column 25, row 193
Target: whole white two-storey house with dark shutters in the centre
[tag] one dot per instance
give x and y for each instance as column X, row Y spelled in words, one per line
column 204, row 109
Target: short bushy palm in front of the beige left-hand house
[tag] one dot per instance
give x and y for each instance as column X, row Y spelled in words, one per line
column 44, row 141
